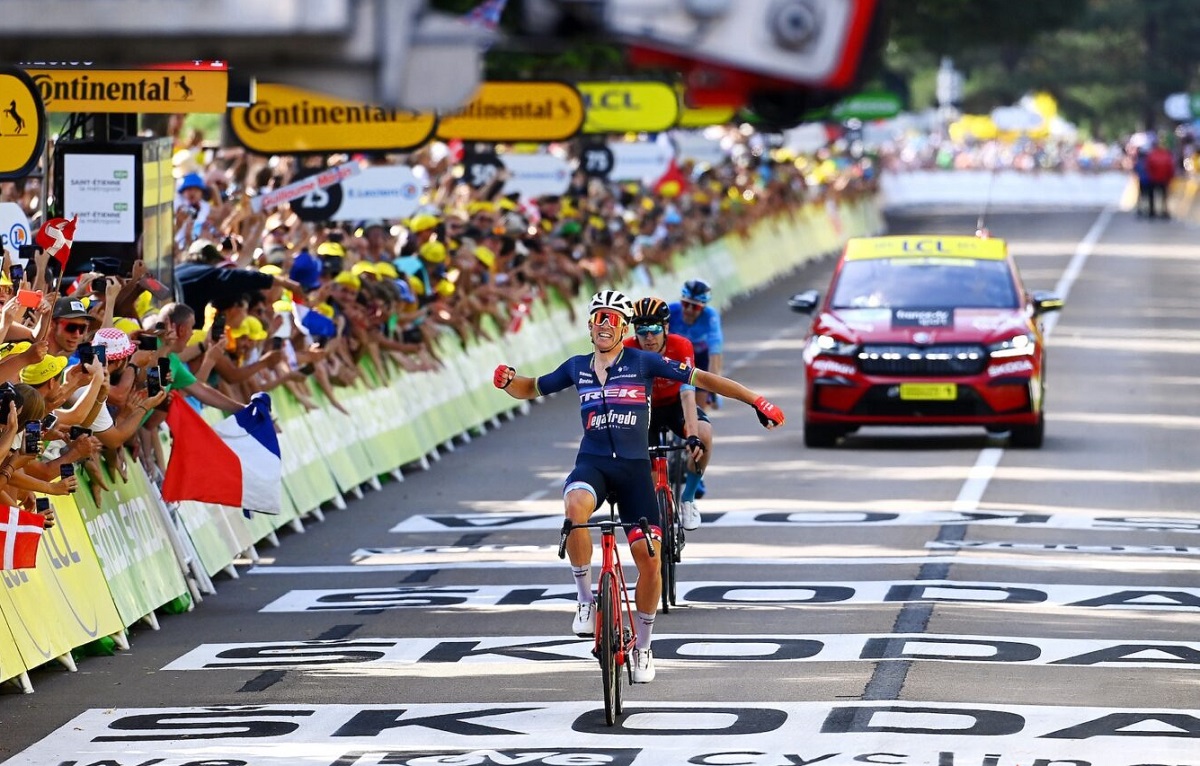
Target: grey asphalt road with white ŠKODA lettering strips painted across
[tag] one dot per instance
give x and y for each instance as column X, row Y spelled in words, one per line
column 910, row 597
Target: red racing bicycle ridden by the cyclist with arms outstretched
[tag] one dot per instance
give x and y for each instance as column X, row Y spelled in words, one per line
column 616, row 633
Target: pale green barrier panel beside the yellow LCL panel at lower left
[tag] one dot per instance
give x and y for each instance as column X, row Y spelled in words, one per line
column 133, row 546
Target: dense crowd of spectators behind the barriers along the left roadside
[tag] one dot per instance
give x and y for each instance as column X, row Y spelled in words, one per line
column 265, row 301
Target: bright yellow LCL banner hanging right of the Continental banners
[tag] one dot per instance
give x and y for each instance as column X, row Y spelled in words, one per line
column 629, row 107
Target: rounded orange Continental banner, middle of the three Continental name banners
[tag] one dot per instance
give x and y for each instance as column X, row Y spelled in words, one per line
column 291, row 121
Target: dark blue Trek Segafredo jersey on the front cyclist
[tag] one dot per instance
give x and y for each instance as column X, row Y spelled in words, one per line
column 616, row 418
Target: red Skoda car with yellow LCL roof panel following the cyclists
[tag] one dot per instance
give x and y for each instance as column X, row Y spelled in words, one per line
column 926, row 331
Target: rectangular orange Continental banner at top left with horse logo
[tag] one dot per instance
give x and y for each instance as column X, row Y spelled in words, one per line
column 141, row 92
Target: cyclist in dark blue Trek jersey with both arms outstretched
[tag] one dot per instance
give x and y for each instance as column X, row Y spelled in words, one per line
column 614, row 458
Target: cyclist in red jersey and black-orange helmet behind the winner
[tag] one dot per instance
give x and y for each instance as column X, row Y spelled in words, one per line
column 673, row 404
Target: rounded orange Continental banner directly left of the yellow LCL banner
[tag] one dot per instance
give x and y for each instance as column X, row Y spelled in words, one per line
column 517, row 112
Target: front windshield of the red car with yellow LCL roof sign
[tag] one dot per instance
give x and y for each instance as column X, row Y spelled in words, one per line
column 925, row 283
